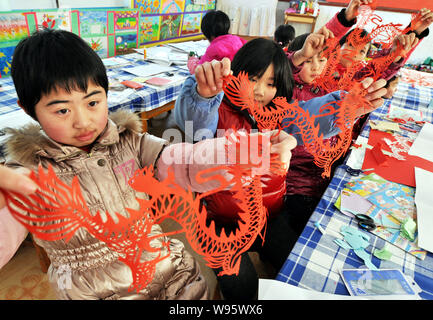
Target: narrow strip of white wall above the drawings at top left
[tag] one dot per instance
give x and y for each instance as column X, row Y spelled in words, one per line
column 6, row 5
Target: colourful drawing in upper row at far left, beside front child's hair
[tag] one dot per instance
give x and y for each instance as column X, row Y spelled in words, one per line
column 13, row 27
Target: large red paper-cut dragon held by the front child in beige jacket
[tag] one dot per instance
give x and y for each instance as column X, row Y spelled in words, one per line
column 58, row 210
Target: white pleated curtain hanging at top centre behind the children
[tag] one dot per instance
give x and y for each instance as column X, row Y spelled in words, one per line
column 250, row 17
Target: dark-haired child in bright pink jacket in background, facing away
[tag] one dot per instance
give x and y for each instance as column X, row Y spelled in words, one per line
column 215, row 26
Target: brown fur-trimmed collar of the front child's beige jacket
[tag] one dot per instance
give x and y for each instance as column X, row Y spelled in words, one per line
column 27, row 144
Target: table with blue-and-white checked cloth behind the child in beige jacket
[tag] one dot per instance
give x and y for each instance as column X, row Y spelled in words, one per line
column 149, row 101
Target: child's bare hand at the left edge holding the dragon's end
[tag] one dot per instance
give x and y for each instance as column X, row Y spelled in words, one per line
column 16, row 181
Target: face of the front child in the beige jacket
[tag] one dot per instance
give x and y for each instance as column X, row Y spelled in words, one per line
column 76, row 118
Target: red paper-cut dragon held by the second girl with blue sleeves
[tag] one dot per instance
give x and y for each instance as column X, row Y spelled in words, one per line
column 239, row 91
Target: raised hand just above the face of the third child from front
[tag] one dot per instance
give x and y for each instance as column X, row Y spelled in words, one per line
column 314, row 43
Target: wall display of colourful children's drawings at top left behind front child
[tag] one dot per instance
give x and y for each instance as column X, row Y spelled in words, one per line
column 109, row 31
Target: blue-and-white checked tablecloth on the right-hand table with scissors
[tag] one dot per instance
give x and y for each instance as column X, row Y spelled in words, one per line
column 316, row 260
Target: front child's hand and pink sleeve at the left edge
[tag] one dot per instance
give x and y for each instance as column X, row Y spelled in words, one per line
column 12, row 233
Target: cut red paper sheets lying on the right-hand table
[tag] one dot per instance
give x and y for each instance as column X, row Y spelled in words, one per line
column 397, row 170
